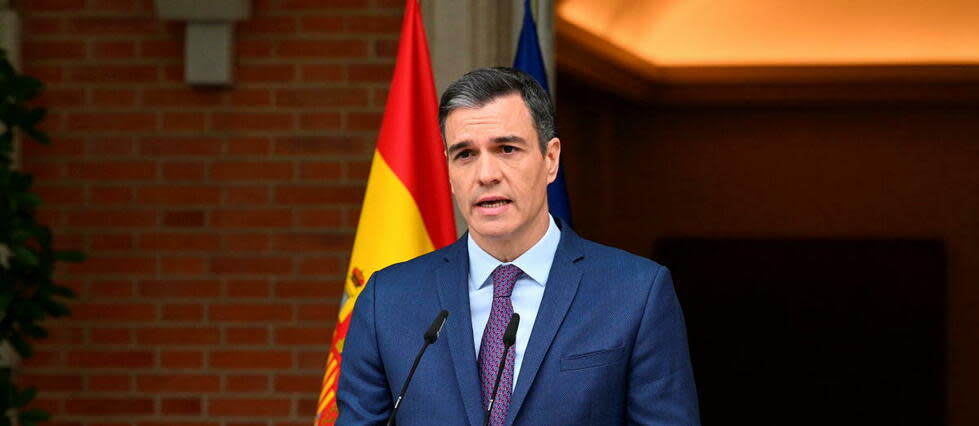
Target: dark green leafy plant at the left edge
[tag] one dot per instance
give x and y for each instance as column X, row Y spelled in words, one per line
column 28, row 293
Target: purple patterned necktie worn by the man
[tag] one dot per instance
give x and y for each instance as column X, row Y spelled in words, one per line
column 491, row 348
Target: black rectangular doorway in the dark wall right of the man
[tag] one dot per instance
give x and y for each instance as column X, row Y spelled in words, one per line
column 814, row 332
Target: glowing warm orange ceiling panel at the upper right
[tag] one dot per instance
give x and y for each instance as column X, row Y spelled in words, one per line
column 784, row 32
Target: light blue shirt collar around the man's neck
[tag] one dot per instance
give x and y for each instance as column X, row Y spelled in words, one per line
column 535, row 262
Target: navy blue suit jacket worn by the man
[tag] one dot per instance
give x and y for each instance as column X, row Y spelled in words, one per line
column 608, row 347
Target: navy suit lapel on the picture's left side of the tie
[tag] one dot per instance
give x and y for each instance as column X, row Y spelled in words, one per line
column 452, row 277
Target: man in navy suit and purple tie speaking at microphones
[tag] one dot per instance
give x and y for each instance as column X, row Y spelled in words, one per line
column 601, row 337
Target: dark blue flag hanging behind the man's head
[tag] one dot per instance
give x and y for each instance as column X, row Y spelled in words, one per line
column 530, row 61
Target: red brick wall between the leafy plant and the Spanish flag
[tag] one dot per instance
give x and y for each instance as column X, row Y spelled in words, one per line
column 218, row 221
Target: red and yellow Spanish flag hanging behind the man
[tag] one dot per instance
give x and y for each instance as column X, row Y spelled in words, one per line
column 407, row 209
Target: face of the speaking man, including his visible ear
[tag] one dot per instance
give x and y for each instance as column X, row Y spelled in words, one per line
column 497, row 172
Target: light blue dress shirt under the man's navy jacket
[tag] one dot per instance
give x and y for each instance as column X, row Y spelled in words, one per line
column 527, row 292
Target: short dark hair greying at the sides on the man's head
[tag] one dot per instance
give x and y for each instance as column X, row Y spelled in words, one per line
column 479, row 87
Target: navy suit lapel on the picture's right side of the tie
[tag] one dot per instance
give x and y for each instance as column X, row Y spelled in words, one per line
column 559, row 292
